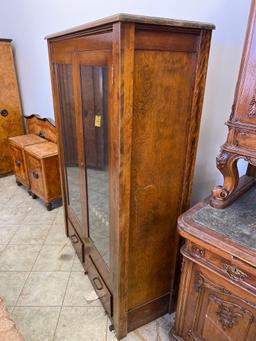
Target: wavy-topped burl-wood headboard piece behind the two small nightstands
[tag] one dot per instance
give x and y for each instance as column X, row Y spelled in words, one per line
column 43, row 127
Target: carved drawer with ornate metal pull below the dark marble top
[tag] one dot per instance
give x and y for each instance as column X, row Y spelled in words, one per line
column 232, row 267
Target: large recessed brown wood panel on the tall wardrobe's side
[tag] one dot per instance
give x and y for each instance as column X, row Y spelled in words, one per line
column 163, row 90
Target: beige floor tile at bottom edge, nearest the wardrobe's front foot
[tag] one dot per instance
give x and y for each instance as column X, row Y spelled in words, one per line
column 81, row 323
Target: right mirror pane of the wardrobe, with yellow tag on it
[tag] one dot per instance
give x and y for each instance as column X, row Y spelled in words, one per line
column 94, row 106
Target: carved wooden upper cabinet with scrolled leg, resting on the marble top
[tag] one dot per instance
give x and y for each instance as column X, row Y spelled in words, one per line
column 241, row 139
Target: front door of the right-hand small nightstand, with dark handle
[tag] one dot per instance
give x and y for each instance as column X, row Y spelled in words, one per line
column 35, row 175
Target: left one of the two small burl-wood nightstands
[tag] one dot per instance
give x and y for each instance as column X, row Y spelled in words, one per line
column 17, row 145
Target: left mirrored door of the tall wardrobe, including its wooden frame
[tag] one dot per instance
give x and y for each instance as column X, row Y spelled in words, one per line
column 70, row 139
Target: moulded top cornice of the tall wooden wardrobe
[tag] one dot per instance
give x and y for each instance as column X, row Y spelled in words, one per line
column 139, row 19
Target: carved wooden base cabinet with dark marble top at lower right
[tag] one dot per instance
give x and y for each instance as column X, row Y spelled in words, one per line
column 217, row 295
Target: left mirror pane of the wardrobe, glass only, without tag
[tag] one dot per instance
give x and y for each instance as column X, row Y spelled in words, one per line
column 69, row 137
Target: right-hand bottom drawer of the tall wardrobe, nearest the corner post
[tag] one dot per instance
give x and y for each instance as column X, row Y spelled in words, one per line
column 99, row 285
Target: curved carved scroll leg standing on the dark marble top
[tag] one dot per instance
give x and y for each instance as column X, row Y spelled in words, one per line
column 227, row 165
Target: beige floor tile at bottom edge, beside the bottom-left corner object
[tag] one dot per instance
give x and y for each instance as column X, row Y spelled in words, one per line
column 36, row 323
